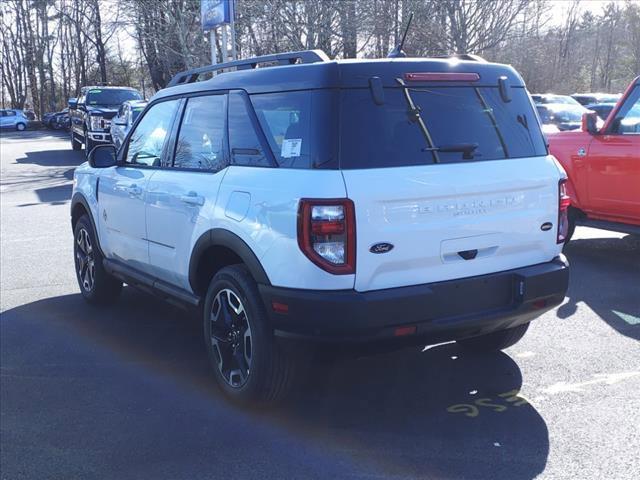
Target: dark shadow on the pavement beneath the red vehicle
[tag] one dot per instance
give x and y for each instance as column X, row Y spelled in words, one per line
column 599, row 266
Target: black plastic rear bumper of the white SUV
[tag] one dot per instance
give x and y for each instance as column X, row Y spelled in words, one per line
column 439, row 312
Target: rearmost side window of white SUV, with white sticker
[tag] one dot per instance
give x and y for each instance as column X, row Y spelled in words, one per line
column 300, row 127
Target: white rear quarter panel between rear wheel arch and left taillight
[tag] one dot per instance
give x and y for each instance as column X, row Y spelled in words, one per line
column 260, row 205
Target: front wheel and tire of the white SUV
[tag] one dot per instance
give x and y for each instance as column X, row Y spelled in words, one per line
column 99, row 287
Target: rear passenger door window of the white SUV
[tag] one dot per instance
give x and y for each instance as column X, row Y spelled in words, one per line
column 201, row 139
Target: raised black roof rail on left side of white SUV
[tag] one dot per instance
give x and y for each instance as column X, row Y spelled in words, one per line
column 289, row 58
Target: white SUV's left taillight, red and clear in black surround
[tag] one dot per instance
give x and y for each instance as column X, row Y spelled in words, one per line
column 327, row 234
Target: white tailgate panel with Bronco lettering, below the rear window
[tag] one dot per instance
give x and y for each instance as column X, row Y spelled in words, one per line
column 448, row 221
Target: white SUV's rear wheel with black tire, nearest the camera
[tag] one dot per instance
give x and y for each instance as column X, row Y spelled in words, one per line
column 257, row 370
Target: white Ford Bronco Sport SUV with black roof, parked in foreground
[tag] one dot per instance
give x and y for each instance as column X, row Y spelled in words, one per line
column 397, row 200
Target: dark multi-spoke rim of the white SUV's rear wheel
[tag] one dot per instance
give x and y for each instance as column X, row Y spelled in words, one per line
column 230, row 336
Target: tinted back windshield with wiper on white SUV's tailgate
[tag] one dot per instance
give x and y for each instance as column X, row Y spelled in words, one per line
column 462, row 123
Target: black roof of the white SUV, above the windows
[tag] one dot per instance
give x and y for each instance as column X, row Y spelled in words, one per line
column 342, row 74
